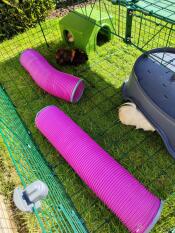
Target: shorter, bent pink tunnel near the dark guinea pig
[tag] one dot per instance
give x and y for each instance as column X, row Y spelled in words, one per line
column 56, row 83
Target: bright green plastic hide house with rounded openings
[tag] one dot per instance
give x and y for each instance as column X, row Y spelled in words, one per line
column 89, row 33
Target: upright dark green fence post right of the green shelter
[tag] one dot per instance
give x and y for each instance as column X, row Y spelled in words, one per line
column 129, row 16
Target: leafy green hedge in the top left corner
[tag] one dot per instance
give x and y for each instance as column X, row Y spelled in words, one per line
column 18, row 15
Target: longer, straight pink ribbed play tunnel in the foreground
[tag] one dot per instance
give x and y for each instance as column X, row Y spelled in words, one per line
column 135, row 206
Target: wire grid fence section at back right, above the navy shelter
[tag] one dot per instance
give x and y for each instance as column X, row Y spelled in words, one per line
column 138, row 26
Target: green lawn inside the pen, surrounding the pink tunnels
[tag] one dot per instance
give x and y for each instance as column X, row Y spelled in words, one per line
column 142, row 153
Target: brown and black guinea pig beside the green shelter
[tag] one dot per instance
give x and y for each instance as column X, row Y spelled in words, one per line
column 65, row 56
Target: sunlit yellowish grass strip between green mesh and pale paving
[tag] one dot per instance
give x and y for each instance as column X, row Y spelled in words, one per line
column 9, row 180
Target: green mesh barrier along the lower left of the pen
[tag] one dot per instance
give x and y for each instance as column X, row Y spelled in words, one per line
column 58, row 213
